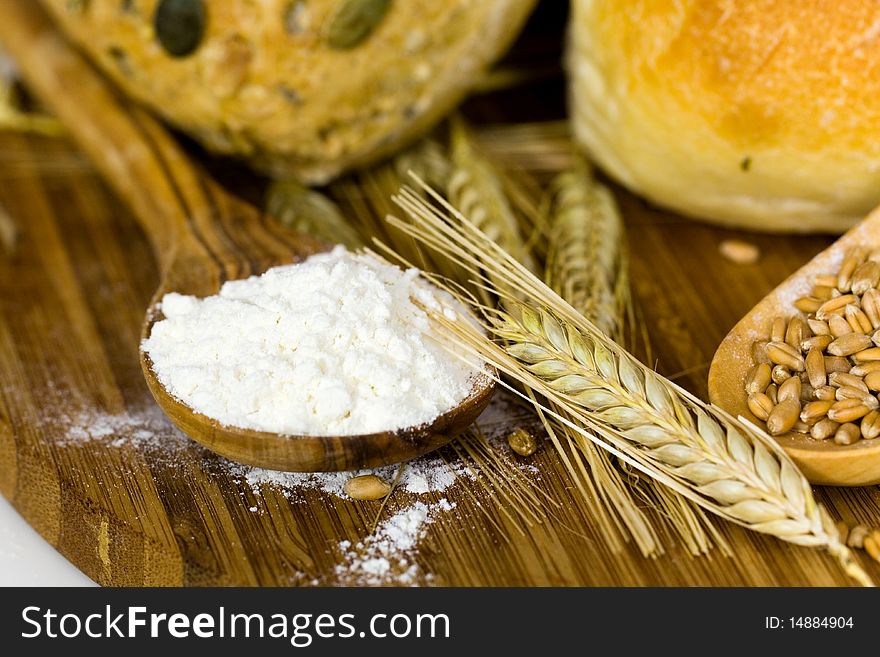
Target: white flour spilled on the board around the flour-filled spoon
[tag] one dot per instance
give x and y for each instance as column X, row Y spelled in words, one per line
column 386, row 557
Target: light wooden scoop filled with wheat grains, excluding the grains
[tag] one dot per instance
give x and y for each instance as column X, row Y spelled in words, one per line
column 823, row 462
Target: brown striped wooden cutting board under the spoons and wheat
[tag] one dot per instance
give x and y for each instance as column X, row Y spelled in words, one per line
column 89, row 461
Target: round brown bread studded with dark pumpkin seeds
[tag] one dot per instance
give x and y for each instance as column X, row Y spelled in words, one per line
column 302, row 88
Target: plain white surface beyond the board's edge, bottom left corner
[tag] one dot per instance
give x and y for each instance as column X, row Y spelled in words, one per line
column 28, row 560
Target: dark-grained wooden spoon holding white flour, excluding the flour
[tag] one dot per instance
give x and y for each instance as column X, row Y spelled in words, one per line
column 202, row 236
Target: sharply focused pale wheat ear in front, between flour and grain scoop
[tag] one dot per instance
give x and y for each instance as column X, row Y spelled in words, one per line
column 726, row 465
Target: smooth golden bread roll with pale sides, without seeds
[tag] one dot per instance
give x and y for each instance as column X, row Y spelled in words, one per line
column 760, row 114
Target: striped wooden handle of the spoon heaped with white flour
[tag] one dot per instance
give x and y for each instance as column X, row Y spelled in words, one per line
column 183, row 211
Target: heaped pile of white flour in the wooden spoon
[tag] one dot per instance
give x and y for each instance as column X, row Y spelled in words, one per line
column 334, row 345
